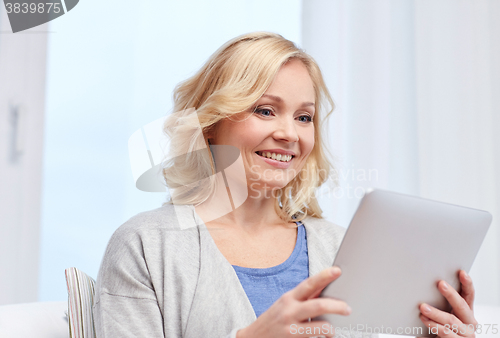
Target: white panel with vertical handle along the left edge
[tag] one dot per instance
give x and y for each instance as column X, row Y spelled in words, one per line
column 22, row 98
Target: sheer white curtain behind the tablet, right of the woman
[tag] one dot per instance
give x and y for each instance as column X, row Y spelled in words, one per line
column 416, row 85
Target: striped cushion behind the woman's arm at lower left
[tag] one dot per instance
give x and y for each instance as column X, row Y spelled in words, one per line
column 80, row 302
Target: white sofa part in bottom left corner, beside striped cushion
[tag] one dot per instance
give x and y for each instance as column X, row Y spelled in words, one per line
column 28, row 320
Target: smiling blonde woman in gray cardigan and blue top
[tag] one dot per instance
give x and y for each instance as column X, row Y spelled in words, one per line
column 165, row 275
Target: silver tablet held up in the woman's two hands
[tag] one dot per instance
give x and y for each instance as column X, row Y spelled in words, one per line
column 396, row 249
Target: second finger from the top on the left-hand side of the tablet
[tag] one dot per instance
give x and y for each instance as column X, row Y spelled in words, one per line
column 319, row 306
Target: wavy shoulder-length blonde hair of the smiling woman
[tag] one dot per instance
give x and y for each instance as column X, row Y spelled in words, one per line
column 230, row 82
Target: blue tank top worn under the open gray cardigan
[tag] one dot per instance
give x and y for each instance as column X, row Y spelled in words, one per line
column 264, row 286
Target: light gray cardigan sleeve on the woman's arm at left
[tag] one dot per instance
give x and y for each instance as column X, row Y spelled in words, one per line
column 125, row 303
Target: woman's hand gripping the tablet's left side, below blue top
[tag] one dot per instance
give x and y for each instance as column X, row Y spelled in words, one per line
column 289, row 315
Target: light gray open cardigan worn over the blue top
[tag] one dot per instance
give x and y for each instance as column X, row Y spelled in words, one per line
column 163, row 276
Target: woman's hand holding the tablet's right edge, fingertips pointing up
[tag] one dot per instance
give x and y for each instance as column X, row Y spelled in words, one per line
column 460, row 322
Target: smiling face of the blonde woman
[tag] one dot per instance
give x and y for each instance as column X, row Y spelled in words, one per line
column 276, row 137
